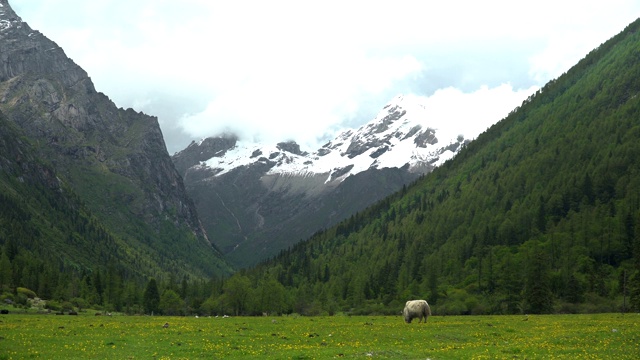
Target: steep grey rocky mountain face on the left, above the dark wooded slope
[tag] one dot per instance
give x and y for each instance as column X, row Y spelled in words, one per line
column 114, row 159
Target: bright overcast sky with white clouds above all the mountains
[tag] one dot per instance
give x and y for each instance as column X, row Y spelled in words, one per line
column 300, row 70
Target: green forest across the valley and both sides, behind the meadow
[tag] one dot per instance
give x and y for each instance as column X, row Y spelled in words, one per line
column 540, row 214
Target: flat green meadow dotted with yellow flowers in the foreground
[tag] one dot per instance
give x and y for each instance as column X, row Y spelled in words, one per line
column 601, row 336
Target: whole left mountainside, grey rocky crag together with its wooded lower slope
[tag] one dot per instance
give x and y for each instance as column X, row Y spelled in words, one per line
column 85, row 186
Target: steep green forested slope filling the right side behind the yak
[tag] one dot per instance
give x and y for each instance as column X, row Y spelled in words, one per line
column 540, row 214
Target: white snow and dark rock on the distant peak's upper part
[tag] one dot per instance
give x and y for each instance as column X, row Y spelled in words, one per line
column 400, row 135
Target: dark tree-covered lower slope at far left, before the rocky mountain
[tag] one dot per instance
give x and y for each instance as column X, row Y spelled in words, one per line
column 45, row 229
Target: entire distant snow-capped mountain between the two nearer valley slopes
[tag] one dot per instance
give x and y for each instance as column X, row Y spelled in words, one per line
column 259, row 199
